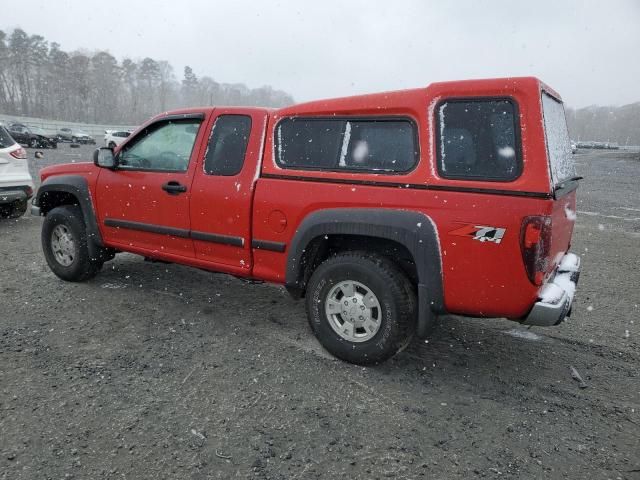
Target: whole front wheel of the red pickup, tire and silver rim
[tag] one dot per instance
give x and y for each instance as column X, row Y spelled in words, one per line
column 64, row 242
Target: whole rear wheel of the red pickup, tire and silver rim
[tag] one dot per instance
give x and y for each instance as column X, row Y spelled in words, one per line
column 361, row 307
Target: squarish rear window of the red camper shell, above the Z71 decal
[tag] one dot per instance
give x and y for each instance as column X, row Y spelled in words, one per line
column 478, row 140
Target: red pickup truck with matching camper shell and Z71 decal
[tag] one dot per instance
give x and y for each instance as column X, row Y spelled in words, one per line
column 384, row 211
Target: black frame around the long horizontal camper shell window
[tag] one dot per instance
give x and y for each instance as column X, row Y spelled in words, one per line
column 348, row 118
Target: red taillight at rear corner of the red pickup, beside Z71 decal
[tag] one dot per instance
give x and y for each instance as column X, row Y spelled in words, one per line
column 535, row 241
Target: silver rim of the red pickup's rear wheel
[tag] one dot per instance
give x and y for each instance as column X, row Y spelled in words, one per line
column 353, row 311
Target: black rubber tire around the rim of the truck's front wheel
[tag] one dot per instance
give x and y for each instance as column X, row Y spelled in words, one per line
column 82, row 267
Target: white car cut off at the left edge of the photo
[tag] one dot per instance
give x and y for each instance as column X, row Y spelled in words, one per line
column 16, row 184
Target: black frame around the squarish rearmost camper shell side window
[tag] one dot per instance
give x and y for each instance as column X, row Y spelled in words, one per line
column 518, row 140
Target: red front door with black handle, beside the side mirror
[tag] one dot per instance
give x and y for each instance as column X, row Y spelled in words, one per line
column 143, row 204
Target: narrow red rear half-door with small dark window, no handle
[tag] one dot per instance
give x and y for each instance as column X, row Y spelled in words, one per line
column 222, row 192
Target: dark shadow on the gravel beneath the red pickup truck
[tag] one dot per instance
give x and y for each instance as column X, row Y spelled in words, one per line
column 470, row 351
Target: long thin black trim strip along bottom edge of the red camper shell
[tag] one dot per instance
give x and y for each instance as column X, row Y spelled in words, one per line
column 417, row 186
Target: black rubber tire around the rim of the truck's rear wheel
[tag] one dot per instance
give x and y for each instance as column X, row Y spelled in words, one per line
column 396, row 296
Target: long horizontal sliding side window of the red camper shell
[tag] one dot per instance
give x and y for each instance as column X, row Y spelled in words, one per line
column 376, row 145
